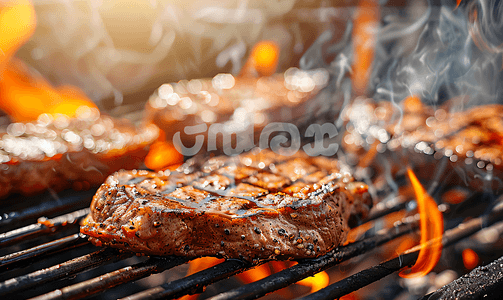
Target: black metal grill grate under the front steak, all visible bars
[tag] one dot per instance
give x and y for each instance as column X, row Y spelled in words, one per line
column 15, row 261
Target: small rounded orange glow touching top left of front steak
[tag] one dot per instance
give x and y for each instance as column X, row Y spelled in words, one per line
column 163, row 155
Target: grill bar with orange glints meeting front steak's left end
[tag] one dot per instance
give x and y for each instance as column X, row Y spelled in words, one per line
column 39, row 228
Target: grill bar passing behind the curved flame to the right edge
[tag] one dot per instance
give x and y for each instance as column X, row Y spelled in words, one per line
column 368, row 276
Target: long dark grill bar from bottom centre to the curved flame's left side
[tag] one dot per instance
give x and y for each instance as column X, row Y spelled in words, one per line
column 310, row 267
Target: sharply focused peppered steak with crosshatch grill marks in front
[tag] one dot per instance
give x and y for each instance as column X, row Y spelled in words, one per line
column 258, row 205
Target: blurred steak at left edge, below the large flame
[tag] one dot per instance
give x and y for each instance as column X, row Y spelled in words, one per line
column 62, row 153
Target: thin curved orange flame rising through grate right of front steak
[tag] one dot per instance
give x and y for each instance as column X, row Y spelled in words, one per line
column 432, row 228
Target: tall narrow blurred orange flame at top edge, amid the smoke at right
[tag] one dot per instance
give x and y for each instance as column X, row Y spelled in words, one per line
column 364, row 36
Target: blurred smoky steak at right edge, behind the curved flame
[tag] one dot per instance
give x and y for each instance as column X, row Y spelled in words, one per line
column 418, row 135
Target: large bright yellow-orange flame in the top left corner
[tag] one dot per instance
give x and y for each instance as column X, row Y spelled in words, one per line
column 23, row 95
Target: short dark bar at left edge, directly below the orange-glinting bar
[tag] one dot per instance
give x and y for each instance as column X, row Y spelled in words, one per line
column 14, row 259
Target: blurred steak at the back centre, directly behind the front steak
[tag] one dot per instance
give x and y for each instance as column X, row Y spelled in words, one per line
column 236, row 103
